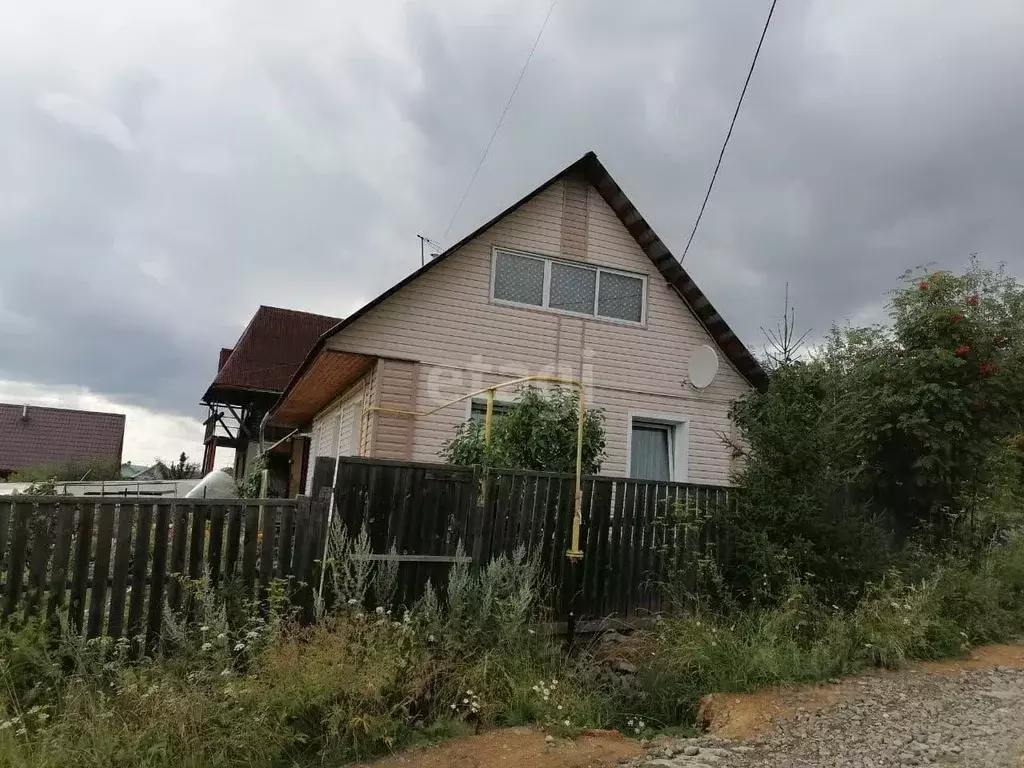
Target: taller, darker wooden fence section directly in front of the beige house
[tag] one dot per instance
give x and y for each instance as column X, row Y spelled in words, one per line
column 635, row 535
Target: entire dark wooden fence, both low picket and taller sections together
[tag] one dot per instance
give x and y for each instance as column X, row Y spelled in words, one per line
column 114, row 566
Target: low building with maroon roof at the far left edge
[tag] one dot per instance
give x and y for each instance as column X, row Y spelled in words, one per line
column 34, row 437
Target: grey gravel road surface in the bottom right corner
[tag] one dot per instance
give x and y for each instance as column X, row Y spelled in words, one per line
column 972, row 718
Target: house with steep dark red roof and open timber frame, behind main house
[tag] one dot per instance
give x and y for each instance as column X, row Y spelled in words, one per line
column 250, row 378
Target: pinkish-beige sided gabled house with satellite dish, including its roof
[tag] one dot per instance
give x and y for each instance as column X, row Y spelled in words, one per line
column 570, row 281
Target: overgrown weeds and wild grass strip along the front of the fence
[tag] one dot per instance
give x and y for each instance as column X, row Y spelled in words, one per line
column 245, row 688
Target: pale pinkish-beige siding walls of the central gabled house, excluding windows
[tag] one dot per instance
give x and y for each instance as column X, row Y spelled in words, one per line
column 462, row 342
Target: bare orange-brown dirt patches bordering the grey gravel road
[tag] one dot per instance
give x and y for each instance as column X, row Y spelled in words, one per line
column 726, row 715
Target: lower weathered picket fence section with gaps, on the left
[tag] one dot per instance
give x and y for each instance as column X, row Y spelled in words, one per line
column 112, row 567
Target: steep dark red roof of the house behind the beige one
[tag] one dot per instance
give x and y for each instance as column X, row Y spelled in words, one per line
column 271, row 350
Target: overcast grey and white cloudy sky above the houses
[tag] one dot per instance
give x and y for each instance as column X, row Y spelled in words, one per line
column 166, row 167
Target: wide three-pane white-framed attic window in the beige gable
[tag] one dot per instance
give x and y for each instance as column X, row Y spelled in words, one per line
column 526, row 280
